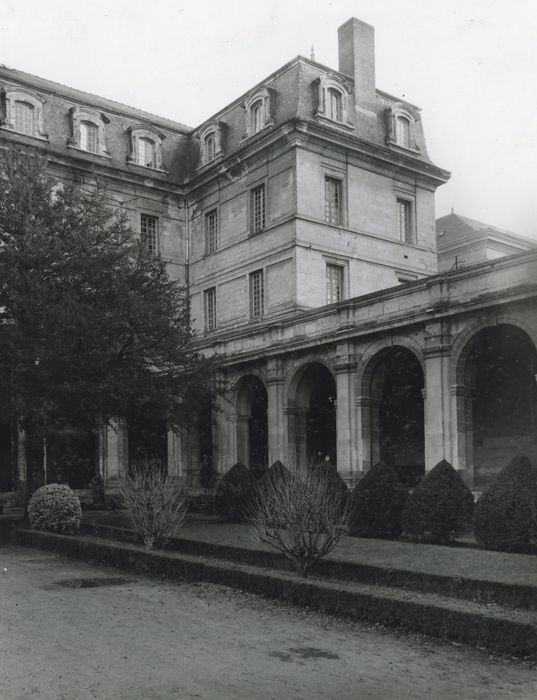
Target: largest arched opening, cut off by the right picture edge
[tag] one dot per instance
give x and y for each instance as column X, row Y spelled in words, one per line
column 501, row 398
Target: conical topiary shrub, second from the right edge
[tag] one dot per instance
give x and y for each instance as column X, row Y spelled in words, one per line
column 440, row 508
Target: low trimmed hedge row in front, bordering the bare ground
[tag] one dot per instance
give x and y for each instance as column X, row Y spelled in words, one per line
column 498, row 631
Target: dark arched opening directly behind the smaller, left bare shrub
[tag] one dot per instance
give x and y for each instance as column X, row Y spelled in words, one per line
column 148, row 436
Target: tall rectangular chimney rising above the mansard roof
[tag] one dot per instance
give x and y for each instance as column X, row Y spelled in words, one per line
column 356, row 43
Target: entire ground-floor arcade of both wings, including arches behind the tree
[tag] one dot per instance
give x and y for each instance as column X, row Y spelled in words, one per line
column 462, row 392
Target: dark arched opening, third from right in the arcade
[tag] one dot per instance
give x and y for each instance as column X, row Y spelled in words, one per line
column 314, row 430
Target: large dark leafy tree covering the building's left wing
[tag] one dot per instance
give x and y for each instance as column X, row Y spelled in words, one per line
column 93, row 328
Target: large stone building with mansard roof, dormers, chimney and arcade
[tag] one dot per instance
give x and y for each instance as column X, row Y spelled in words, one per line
column 301, row 218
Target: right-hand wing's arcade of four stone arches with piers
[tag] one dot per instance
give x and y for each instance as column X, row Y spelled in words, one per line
column 410, row 403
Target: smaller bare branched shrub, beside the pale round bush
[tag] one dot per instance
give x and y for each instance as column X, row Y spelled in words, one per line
column 157, row 502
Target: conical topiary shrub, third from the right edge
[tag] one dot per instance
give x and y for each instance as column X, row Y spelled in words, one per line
column 378, row 501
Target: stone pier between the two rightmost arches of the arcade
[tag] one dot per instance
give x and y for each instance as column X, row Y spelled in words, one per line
column 437, row 395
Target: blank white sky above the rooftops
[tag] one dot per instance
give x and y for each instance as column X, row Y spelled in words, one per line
column 471, row 65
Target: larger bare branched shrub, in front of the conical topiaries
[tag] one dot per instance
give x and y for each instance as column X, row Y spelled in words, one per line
column 301, row 515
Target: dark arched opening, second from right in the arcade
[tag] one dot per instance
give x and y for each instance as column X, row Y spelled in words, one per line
column 397, row 416
